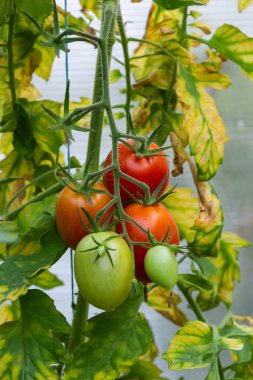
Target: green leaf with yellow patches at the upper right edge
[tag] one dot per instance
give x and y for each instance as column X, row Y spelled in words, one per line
column 235, row 45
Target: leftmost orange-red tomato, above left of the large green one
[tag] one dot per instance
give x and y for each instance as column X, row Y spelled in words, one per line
column 68, row 221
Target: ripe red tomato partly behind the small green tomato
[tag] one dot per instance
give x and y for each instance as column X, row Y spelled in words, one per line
column 157, row 219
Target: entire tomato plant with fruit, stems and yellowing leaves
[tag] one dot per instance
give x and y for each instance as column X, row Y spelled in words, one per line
column 166, row 98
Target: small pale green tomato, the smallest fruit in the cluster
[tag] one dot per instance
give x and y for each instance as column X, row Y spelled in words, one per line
column 161, row 266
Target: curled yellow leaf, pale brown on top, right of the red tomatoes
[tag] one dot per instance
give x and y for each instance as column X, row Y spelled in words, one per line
column 209, row 224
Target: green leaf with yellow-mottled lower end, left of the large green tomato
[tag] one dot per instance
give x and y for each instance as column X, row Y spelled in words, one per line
column 17, row 271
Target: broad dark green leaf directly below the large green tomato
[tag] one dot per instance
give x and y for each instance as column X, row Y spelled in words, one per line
column 124, row 331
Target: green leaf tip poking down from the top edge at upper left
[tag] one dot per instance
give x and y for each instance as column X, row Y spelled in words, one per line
column 39, row 9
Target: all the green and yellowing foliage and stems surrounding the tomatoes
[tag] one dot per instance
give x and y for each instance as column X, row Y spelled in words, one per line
column 171, row 101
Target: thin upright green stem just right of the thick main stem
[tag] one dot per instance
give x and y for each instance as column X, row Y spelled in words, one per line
column 127, row 67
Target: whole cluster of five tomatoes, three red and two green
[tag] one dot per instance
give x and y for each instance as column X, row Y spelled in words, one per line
column 103, row 260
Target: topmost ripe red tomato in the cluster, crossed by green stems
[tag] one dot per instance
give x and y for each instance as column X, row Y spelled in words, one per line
column 151, row 170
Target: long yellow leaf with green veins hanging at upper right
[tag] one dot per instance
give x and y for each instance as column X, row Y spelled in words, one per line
column 203, row 123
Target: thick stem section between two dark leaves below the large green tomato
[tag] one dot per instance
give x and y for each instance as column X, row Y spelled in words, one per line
column 79, row 322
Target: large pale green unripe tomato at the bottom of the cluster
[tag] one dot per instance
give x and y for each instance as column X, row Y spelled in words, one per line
column 101, row 284
